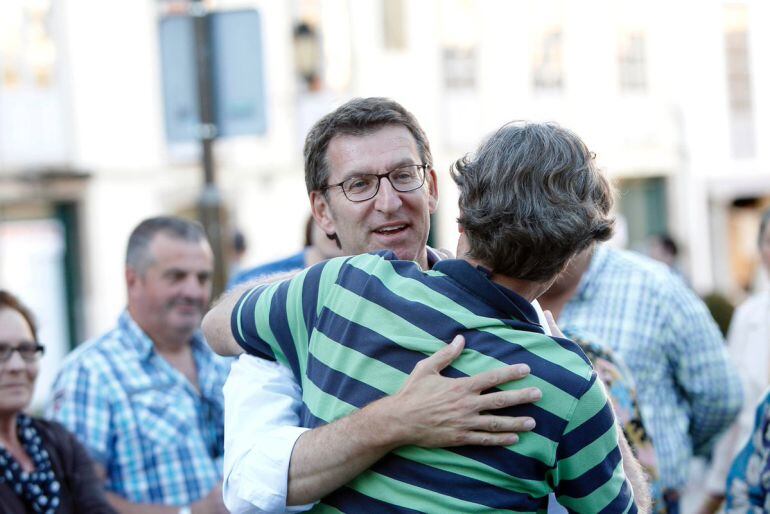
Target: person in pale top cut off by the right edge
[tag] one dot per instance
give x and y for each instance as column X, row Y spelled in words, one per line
column 748, row 341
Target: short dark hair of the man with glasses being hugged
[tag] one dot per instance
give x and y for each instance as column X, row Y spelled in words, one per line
column 357, row 117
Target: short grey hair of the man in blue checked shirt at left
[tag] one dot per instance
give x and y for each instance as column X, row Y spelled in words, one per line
column 138, row 256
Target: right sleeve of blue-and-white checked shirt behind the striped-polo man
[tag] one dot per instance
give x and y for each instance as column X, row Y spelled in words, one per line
column 702, row 367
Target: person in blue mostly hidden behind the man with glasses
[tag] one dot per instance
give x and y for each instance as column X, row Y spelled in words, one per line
column 318, row 247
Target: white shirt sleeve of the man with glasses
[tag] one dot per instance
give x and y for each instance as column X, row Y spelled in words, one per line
column 262, row 401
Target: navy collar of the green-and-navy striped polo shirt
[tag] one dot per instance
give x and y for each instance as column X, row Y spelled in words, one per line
column 478, row 281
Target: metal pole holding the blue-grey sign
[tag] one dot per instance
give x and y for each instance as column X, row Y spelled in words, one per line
column 210, row 203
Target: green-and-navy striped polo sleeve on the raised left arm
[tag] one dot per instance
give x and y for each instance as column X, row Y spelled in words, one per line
column 273, row 321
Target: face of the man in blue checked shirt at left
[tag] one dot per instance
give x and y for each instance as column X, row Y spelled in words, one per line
column 172, row 294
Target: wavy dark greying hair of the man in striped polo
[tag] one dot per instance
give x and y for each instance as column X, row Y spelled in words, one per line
column 530, row 199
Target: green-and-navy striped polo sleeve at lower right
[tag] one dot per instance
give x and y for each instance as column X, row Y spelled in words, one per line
column 589, row 474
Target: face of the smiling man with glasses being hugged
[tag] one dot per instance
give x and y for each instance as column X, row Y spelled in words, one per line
column 391, row 220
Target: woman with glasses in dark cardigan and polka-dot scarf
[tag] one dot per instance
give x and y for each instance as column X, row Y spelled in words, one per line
column 42, row 466
